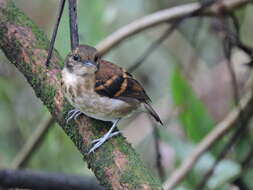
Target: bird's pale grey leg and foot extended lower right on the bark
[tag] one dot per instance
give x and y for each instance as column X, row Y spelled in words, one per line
column 107, row 136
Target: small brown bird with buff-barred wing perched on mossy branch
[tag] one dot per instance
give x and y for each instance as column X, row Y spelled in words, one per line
column 101, row 90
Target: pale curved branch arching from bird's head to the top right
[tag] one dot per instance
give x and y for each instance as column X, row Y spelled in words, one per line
column 163, row 16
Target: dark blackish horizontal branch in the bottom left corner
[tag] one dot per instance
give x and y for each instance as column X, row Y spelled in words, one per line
column 45, row 180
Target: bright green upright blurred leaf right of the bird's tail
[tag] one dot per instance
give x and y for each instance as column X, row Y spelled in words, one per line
column 192, row 113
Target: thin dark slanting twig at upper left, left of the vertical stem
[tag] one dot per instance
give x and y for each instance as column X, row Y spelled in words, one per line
column 51, row 46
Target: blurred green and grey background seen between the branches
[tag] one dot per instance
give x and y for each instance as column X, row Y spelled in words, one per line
column 186, row 78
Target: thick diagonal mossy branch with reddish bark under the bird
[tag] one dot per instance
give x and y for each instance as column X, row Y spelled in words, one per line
column 115, row 164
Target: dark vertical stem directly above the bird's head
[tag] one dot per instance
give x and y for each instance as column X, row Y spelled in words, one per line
column 74, row 37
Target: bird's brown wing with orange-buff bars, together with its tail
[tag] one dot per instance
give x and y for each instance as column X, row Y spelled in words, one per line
column 114, row 82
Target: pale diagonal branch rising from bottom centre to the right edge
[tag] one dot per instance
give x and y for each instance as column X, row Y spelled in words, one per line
column 218, row 132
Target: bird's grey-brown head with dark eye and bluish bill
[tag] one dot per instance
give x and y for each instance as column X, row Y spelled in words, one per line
column 83, row 60
